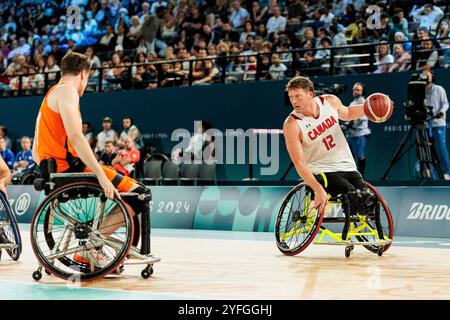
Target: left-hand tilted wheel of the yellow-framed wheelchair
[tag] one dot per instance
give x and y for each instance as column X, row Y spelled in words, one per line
column 297, row 222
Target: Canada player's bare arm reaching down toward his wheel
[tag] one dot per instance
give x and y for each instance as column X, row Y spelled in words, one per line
column 292, row 136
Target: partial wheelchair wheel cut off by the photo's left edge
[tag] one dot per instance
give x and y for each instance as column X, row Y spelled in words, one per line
column 10, row 239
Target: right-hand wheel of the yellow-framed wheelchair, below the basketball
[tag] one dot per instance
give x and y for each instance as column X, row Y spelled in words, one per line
column 386, row 221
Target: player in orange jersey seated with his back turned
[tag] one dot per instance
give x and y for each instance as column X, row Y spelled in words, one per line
column 58, row 136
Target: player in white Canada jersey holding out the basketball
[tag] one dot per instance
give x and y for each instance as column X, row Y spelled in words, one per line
column 317, row 145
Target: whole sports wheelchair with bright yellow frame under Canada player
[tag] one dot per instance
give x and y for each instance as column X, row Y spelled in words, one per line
column 366, row 222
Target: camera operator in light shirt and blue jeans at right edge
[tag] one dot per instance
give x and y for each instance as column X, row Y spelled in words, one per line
column 437, row 98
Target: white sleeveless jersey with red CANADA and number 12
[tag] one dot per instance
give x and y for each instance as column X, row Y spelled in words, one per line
column 324, row 145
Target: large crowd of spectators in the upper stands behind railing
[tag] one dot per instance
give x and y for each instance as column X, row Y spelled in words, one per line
column 121, row 36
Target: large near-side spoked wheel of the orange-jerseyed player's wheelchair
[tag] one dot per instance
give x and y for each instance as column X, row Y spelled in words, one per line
column 78, row 234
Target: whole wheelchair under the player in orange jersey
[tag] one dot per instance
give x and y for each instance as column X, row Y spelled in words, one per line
column 73, row 220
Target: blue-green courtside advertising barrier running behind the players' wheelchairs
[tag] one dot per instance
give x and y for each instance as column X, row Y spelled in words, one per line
column 416, row 211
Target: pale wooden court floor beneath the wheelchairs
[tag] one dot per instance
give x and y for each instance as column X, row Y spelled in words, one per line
column 227, row 267
